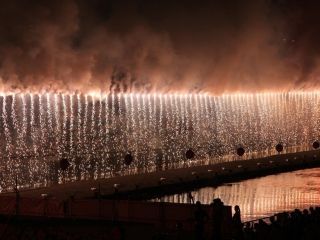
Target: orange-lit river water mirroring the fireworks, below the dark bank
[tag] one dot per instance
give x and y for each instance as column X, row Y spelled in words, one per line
column 264, row 196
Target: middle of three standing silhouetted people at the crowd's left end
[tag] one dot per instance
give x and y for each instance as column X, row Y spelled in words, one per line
column 217, row 216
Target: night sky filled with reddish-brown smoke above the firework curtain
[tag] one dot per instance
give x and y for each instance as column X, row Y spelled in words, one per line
column 168, row 46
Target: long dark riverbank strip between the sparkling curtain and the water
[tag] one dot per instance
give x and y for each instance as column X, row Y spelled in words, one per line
column 154, row 184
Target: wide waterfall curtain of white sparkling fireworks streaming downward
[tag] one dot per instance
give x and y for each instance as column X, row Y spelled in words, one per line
column 95, row 131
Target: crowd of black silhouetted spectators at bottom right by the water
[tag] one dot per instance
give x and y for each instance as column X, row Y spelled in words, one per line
column 295, row 225
